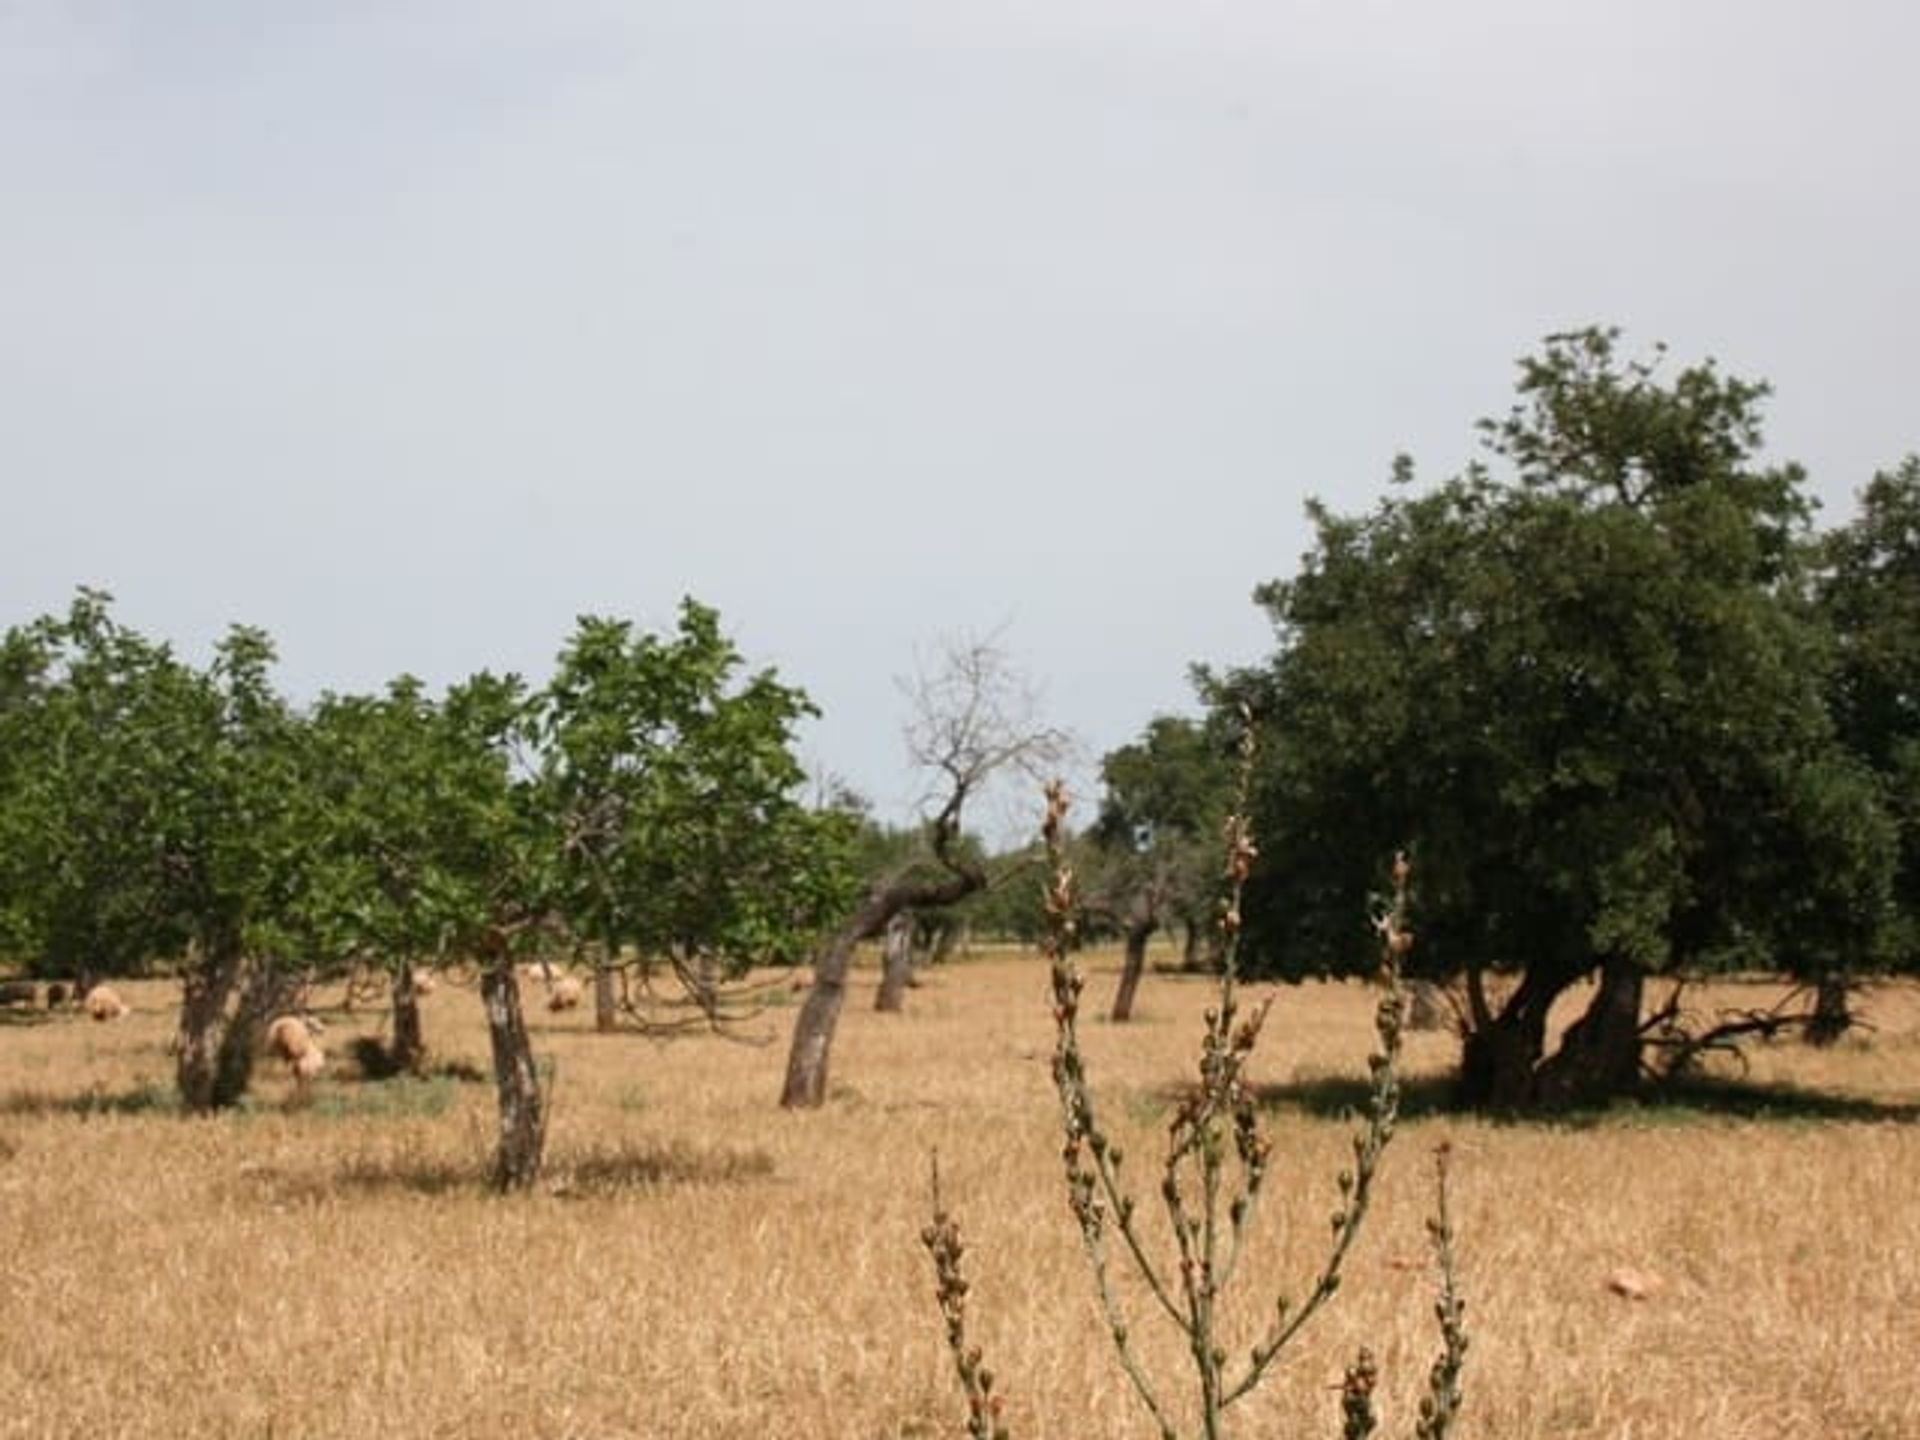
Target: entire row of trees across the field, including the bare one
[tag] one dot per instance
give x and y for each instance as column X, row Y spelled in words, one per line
column 1635, row 717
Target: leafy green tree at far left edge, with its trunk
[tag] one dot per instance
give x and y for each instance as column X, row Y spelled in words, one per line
column 151, row 815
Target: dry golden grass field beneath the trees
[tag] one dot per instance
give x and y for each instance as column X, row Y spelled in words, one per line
column 702, row 1264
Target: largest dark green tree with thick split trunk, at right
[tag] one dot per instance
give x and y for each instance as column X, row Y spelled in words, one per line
column 1593, row 700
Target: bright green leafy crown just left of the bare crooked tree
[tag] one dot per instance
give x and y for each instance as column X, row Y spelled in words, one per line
column 673, row 790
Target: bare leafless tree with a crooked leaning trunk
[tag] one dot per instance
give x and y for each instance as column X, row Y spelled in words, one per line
column 972, row 721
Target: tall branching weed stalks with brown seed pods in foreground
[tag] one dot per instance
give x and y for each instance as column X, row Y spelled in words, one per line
column 1211, row 1184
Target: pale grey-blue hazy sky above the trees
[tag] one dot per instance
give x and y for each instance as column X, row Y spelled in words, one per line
column 414, row 329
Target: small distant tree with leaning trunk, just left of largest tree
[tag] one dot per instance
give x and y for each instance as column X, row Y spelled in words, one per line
column 1155, row 844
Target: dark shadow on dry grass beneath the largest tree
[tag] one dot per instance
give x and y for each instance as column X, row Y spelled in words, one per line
column 1671, row 1103
